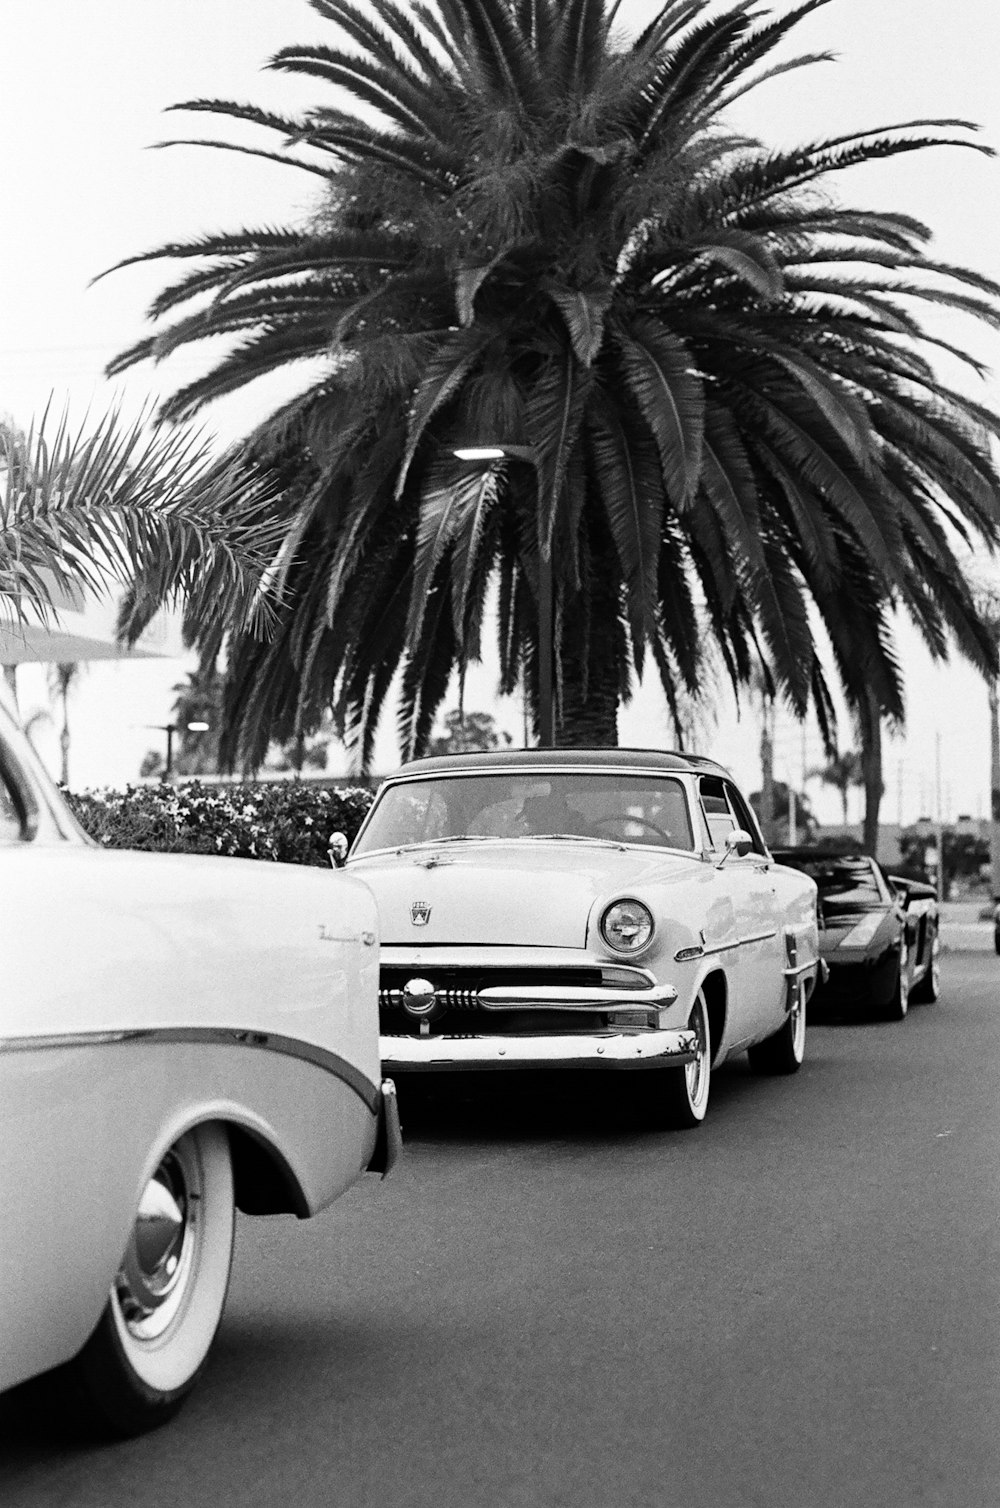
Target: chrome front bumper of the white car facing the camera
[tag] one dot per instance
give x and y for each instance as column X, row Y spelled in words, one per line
column 440, row 1055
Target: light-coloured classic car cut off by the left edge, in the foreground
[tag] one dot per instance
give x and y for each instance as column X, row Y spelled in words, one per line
column 180, row 1037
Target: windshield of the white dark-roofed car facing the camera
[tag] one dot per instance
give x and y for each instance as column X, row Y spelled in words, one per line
column 527, row 805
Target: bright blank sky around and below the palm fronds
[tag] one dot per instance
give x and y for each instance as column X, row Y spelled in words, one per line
column 82, row 100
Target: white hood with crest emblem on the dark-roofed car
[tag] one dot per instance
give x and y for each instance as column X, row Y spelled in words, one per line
column 535, row 893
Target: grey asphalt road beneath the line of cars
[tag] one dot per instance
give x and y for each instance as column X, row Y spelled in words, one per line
column 796, row 1305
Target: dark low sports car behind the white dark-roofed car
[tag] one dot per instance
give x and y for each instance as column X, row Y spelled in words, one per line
column 879, row 933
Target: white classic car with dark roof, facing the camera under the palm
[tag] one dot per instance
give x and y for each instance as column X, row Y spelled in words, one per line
column 587, row 909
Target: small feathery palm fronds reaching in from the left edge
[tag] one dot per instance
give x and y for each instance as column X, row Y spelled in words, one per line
column 123, row 504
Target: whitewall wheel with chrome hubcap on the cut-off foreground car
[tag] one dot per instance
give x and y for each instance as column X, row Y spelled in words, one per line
column 167, row 1302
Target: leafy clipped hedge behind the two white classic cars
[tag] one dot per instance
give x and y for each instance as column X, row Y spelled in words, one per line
column 289, row 823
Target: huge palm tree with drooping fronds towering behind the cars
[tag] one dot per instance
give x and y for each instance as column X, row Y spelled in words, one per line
column 716, row 405
